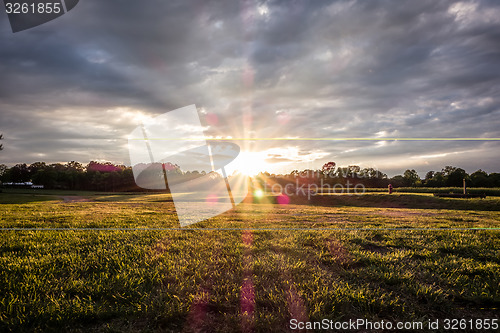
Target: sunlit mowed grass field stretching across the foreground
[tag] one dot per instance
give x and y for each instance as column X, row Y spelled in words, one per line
column 402, row 257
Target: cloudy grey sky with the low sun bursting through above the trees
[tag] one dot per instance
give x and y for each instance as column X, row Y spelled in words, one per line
column 261, row 71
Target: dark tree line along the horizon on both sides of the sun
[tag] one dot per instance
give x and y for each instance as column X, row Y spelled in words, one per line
column 99, row 176
